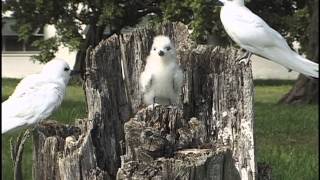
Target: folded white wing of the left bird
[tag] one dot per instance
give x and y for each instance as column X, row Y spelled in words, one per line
column 31, row 106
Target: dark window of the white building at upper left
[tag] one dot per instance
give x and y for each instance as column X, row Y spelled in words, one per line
column 10, row 39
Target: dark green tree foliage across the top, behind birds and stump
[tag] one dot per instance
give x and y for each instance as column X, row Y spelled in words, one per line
column 289, row 17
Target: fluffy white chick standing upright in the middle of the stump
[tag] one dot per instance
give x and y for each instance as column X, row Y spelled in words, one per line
column 162, row 78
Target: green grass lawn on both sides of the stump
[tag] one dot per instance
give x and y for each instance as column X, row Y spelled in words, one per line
column 286, row 135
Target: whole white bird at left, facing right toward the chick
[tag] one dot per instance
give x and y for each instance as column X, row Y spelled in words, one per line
column 36, row 96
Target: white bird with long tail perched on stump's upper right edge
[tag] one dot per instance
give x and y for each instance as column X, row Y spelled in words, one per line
column 250, row 32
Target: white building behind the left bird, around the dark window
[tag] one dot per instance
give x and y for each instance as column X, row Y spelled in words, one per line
column 16, row 55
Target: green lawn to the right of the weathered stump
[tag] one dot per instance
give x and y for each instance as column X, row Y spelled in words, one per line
column 286, row 135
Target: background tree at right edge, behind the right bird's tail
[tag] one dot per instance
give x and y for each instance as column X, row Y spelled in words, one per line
column 306, row 90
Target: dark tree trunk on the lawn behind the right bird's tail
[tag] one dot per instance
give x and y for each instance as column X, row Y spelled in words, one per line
column 306, row 90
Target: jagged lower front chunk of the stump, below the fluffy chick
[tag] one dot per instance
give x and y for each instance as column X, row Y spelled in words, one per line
column 161, row 144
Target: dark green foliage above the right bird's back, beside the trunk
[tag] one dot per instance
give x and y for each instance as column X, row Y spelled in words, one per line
column 289, row 17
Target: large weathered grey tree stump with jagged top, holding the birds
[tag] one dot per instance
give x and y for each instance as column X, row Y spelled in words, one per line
column 209, row 135
